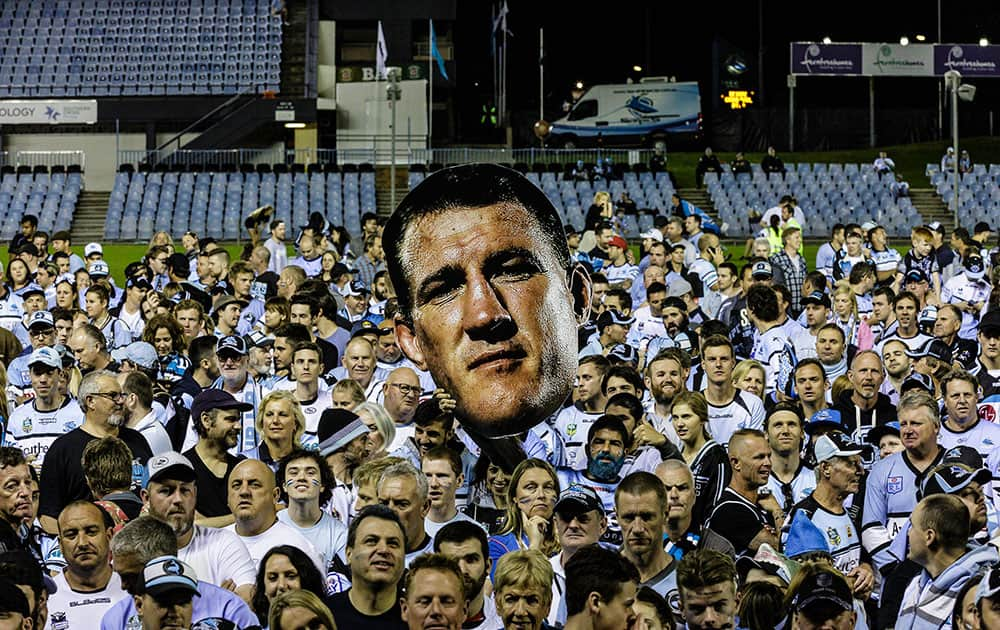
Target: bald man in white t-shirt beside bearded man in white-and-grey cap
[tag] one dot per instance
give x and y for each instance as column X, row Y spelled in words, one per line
column 253, row 499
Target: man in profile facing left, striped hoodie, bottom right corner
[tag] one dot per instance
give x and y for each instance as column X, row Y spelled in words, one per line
column 938, row 539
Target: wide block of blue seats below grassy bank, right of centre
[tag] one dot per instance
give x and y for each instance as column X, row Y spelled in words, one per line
column 827, row 193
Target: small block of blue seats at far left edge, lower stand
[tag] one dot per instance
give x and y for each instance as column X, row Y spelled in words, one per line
column 50, row 197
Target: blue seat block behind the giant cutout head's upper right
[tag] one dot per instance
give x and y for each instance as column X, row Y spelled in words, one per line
column 650, row 191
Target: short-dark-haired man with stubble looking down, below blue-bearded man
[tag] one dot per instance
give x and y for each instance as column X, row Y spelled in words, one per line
column 643, row 511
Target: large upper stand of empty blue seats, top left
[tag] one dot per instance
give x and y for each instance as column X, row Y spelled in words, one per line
column 132, row 47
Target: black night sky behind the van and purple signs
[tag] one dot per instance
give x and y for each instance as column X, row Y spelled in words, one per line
column 674, row 38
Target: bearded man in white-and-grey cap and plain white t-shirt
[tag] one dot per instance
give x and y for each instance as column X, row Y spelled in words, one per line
column 218, row 556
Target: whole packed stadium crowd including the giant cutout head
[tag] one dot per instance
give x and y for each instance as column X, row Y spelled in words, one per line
column 364, row 437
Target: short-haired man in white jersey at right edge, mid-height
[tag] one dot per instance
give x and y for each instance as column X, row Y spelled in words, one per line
column 962, row 425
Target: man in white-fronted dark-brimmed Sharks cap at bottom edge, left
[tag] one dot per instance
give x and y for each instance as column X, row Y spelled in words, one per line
column 166, row 594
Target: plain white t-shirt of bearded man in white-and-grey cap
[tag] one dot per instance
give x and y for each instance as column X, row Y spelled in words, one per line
column 217, row 555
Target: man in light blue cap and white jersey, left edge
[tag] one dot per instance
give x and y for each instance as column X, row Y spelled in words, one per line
column 50, row 413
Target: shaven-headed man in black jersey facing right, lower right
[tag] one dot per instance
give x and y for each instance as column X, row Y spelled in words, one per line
column 741, row 516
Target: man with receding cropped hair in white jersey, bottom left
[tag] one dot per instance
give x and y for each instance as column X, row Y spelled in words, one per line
column 87, row 587
